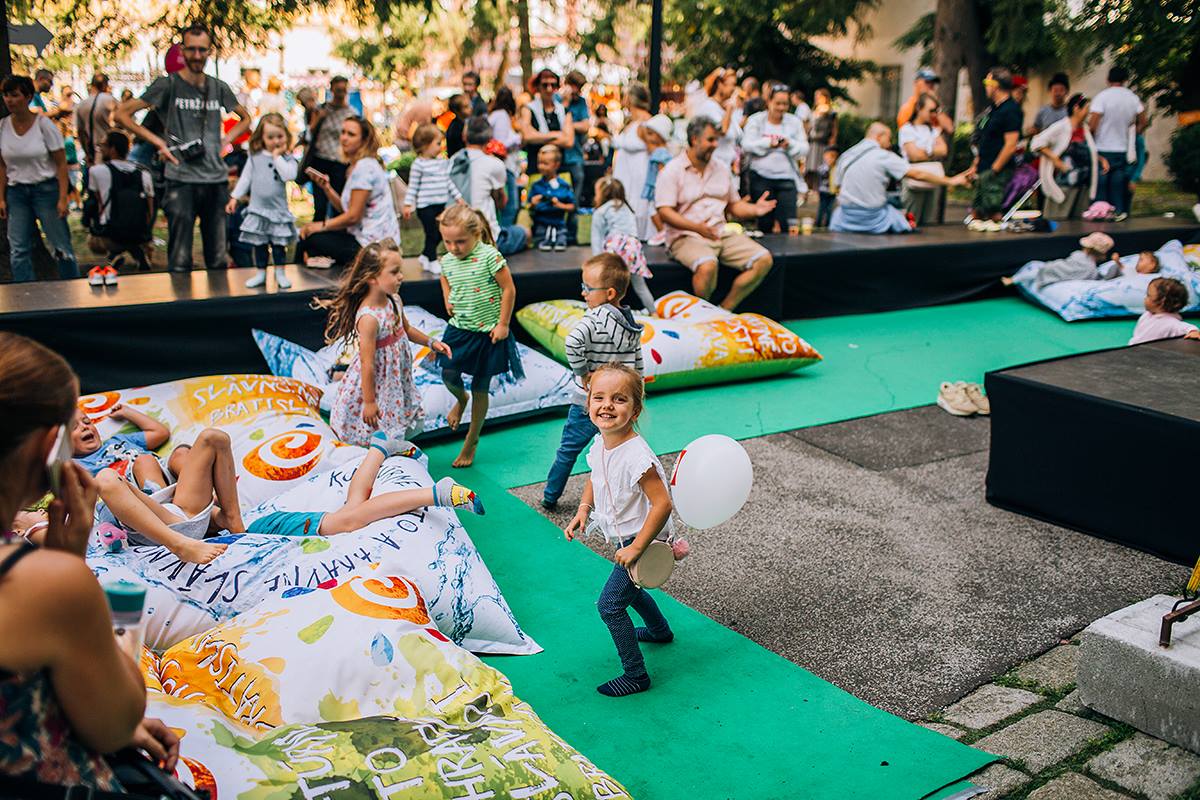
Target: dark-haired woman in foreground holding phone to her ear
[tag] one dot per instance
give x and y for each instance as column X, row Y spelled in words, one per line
column 68, row 693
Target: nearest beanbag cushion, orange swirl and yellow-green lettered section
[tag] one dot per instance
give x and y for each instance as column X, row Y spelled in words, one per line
column 347, row 691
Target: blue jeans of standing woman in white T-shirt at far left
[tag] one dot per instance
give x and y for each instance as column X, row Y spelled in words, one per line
column 28, row 206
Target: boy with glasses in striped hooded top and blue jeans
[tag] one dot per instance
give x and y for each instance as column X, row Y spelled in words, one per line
column 607, row 334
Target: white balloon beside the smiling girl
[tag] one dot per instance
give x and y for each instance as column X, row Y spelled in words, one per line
column 711, row 482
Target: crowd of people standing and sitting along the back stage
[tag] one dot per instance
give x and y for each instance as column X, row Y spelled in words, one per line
column 532, row 164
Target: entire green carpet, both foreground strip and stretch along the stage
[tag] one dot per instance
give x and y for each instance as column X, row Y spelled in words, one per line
column 728, row 719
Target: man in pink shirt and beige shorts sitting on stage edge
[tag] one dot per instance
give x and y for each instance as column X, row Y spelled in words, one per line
column 693, row 195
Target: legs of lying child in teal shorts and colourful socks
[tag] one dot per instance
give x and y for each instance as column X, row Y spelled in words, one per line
column 361, row 509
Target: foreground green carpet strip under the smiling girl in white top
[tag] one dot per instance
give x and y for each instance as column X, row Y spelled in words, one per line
column 725, row 719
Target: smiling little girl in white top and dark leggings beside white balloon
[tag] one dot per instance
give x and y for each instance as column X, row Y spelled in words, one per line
column 628, row 497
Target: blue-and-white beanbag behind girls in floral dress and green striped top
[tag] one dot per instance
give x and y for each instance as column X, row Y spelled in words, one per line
column 545, row 386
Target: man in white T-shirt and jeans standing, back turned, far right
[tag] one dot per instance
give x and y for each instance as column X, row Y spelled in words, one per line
column 1115, row 111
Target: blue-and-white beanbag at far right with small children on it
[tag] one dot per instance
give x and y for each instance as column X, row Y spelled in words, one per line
column 1123, row 297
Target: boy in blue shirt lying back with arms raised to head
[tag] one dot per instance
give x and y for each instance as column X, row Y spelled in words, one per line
column 128, row 454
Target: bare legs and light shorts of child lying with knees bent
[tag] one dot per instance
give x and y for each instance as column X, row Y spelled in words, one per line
column 182, row 515
